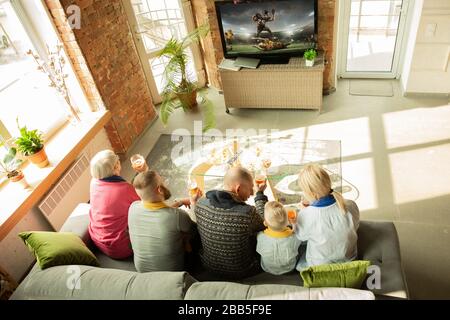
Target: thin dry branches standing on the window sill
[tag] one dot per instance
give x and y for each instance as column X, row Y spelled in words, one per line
column 56, row 75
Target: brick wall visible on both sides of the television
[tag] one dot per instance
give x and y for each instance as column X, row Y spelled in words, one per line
column 204, row 11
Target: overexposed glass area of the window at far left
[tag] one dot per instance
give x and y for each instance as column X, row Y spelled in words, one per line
column 24, row 90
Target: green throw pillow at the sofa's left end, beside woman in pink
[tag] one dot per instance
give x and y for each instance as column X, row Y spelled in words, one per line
column 58, row 248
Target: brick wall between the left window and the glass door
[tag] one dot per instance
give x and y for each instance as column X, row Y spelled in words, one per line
column 107, row 63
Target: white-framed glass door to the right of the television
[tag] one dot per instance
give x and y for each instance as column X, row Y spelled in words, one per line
column 372, row 32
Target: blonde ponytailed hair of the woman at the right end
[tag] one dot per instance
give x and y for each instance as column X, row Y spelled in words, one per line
column 316, row 183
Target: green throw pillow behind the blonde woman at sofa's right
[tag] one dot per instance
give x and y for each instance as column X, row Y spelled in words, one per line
column 343, row 275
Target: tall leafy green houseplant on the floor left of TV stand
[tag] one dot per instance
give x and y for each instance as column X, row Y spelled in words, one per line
column 179, row 91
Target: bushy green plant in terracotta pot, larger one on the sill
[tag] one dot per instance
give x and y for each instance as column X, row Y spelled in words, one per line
column 31, row 145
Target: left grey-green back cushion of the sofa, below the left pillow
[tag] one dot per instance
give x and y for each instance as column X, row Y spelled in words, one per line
column 85, row 283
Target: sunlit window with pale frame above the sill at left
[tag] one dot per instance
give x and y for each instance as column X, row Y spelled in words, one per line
column 24, row 90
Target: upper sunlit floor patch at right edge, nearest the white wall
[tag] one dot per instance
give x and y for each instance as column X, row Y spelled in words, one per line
column 416, row 126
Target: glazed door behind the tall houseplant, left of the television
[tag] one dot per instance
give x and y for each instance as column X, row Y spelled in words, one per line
column 153, row 23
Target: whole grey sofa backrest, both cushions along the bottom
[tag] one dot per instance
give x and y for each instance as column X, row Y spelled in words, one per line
column 75, row 282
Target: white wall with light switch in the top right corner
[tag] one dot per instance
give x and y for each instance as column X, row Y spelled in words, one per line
column 426, row 64
